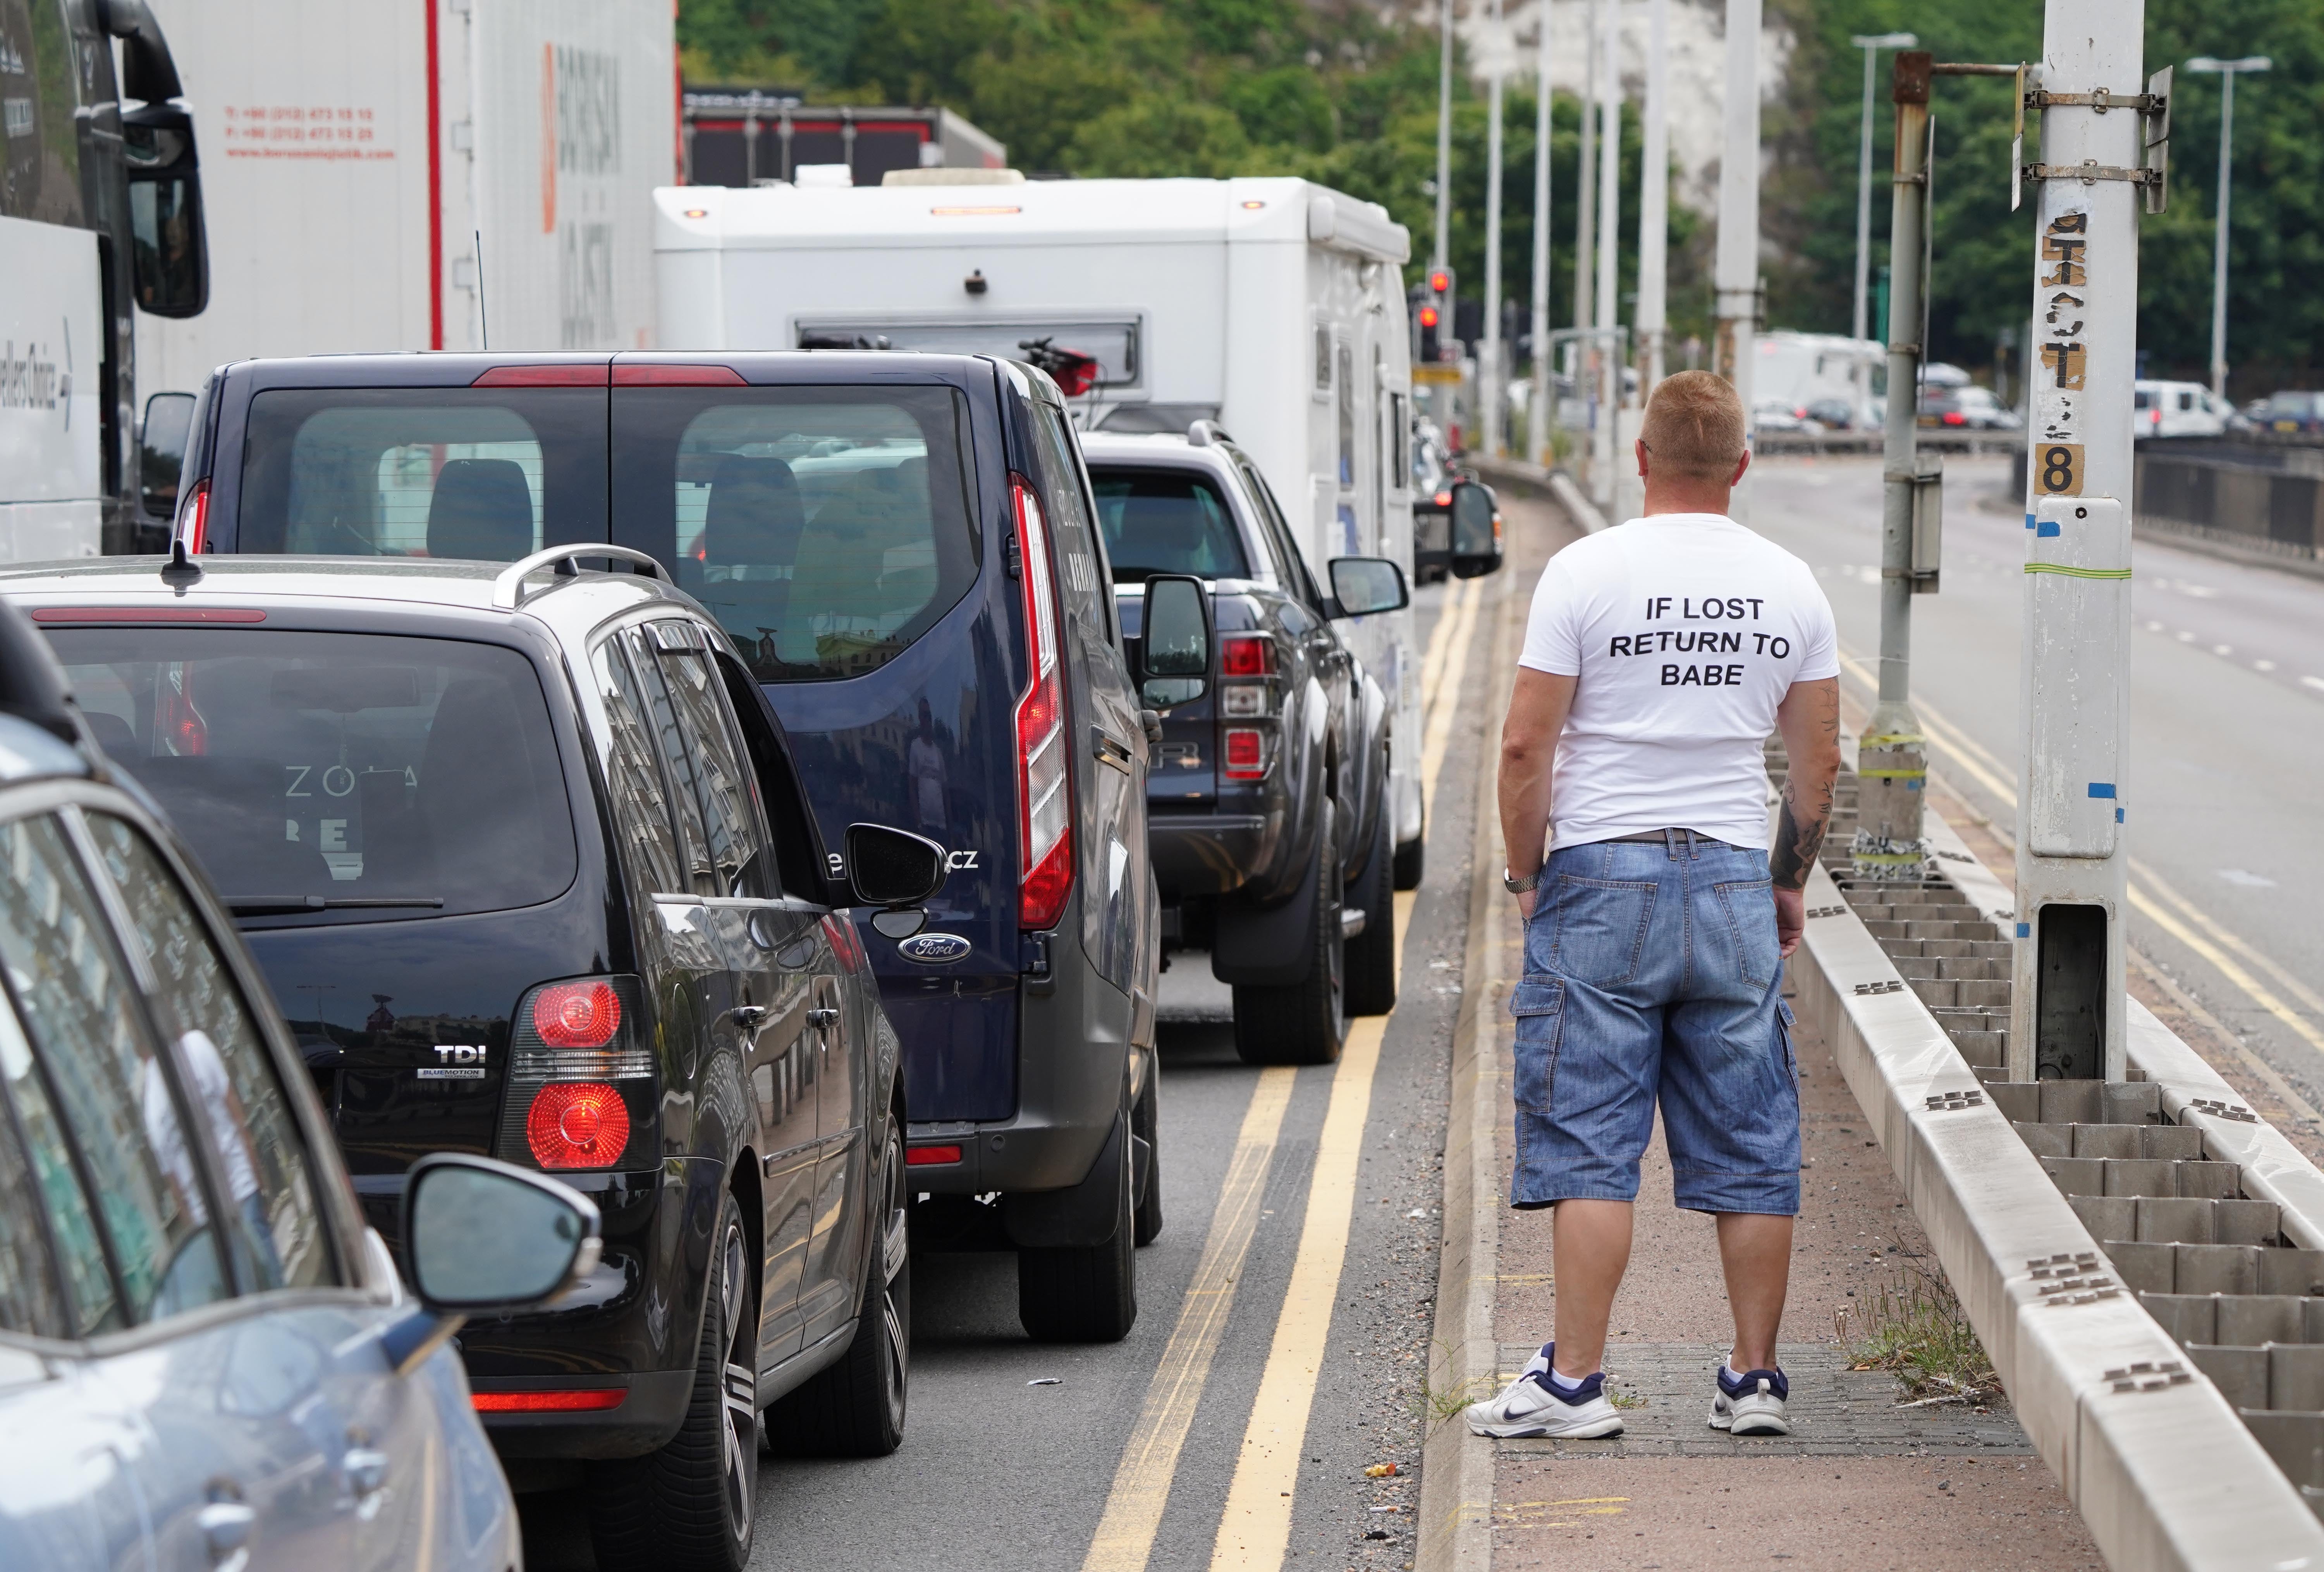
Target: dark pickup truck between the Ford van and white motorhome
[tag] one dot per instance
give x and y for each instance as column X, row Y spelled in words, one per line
column 1268, row 803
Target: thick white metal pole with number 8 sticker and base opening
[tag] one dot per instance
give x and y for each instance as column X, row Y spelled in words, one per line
column 2067, row 1008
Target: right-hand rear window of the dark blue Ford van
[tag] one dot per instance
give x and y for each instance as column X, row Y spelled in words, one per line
column 824, row 527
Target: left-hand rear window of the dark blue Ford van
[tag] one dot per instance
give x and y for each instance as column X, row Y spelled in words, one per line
column 440, row 473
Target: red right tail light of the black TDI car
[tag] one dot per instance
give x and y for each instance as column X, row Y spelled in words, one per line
column 582, row 1089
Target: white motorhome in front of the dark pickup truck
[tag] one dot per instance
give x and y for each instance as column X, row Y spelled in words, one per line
column 1268, row 306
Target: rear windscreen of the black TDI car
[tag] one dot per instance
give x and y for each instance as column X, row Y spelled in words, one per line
column 338, row 766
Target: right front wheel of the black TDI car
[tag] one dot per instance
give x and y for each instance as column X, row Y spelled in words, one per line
column 856, row 1408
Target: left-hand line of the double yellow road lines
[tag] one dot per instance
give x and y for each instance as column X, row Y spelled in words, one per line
column 1142, row 1482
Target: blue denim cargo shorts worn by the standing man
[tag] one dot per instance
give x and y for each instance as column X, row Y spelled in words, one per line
column 1654, row 973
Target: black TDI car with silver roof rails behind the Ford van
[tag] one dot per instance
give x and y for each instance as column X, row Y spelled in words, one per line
column 524, row 857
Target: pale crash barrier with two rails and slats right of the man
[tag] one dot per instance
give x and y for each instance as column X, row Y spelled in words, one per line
column 2063, row 1210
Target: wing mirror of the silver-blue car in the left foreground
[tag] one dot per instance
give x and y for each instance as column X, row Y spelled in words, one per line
column 487, row 1238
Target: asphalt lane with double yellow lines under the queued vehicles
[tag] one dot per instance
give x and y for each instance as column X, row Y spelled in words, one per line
column 1305, row 1203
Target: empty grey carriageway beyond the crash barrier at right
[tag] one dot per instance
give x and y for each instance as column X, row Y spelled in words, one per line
column 2228, row 729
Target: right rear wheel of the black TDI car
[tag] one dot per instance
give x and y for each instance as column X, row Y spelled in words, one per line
column 689, row 1506
